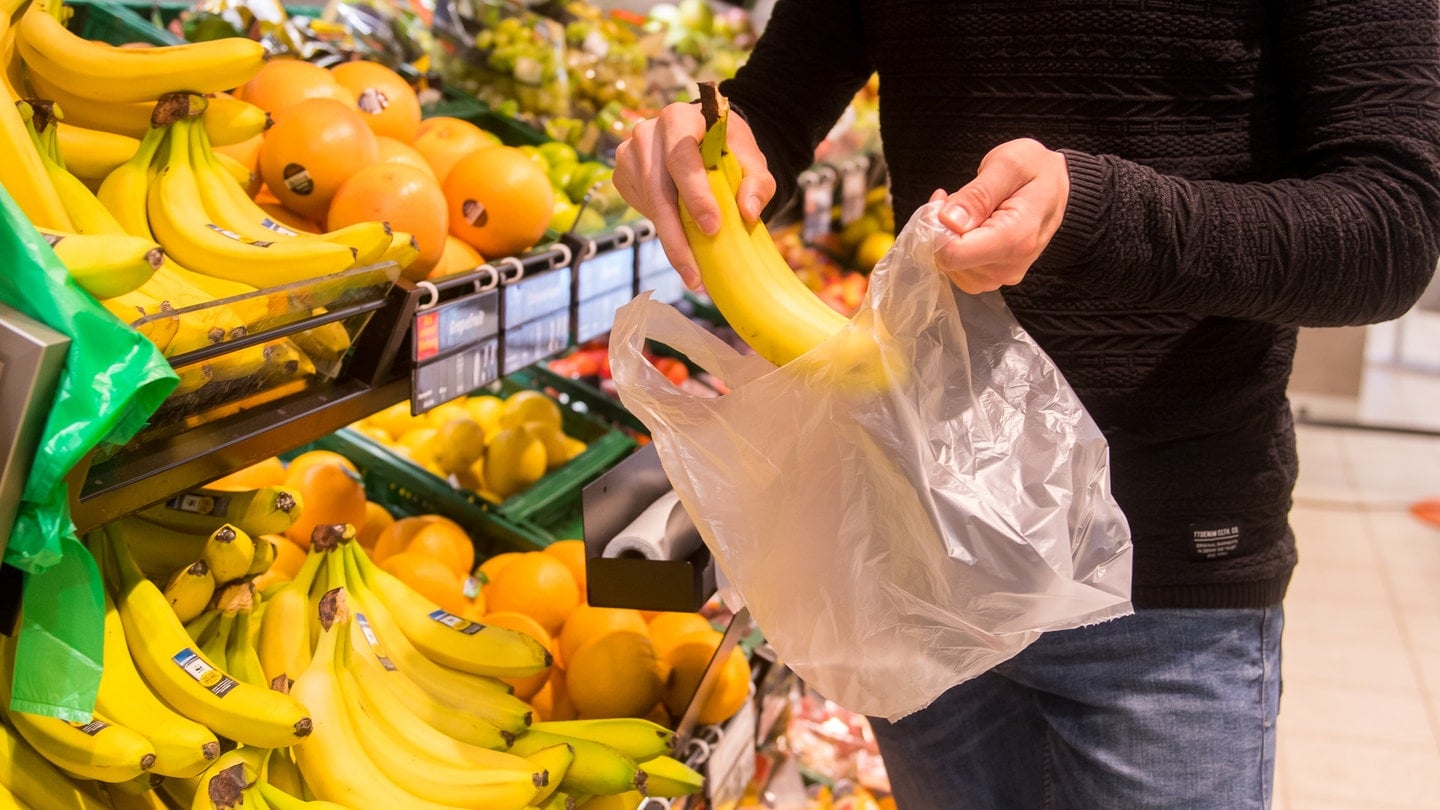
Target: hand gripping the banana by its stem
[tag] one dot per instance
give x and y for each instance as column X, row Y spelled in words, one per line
column 660, row 165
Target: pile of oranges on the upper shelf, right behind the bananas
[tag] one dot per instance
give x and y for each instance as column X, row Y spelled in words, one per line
column 349, row 145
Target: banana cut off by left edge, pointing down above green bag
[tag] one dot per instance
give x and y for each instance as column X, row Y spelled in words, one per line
column 25, row 177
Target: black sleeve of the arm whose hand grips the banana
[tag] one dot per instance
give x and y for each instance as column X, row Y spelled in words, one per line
column 803, row 73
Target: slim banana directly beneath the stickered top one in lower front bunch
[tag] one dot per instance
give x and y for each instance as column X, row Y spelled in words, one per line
column 486, row 695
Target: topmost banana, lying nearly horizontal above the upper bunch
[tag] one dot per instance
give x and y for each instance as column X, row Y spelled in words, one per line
column 130, row 74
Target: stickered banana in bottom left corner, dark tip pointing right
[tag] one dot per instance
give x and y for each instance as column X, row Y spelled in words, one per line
column 94, row 750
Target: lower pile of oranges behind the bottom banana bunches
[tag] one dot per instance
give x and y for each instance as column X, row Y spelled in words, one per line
column 608, row 662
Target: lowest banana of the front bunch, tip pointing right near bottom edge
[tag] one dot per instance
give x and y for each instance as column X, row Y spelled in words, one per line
column 466, row 786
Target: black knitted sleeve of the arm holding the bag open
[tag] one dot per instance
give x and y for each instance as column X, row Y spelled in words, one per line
column 1349, row 233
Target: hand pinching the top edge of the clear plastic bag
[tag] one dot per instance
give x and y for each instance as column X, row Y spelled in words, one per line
column 1004, row 218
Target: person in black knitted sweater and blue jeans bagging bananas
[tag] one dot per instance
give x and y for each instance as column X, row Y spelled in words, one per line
column 1164, row 191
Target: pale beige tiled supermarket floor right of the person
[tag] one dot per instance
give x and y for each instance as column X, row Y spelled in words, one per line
column 1360, row 717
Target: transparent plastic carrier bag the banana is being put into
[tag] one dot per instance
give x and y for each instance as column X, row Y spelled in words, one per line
column 892, row 544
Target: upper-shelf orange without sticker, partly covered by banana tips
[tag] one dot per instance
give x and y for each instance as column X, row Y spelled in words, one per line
column 407, row 198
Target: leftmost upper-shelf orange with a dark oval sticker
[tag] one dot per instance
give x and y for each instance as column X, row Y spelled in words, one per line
column 316, row 146
